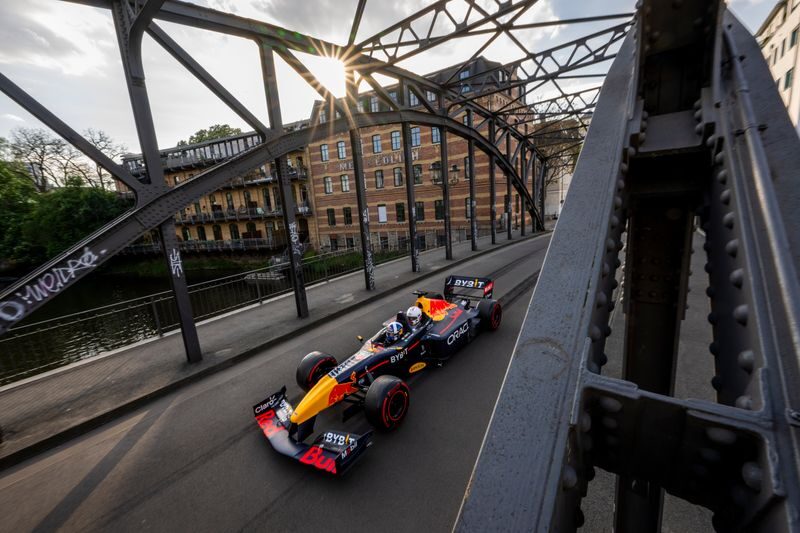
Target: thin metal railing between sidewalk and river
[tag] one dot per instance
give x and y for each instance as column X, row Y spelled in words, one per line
column 37, row 347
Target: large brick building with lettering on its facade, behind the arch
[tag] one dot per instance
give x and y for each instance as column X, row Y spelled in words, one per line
column 332, row 178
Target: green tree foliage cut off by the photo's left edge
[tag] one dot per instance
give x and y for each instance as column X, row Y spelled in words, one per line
column 18, row 198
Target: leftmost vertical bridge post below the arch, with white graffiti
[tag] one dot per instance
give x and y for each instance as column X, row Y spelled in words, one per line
column 180, row 290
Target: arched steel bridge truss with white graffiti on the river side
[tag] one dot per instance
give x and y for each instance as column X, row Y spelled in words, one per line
column 564, row 117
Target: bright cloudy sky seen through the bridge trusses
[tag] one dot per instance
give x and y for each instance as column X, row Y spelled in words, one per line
column 66, row 56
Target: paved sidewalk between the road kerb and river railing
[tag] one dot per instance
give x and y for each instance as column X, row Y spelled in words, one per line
column 41, row 412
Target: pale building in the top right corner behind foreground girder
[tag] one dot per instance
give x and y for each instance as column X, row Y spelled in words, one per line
column 778, row 37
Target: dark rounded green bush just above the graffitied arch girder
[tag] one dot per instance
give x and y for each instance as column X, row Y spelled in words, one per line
column 62, row 217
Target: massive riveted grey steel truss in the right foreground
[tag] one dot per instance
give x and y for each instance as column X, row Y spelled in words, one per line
column 689, row 127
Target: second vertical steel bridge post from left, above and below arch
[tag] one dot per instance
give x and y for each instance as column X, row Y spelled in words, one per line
column 295, row 247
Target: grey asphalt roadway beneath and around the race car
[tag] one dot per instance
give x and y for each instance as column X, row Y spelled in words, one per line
column 196, row 461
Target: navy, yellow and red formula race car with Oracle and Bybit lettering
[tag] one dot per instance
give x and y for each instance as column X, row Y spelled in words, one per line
column 371, row 379
